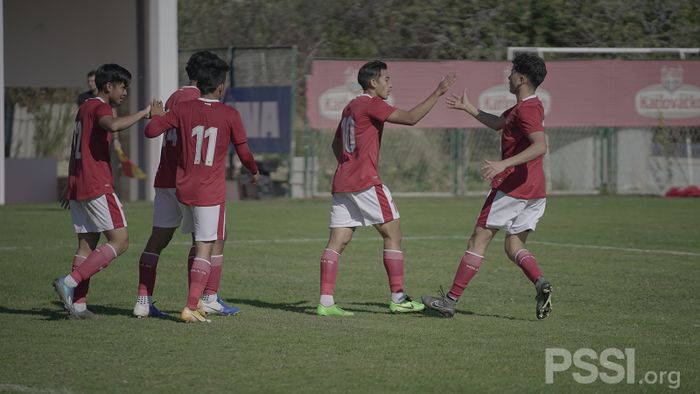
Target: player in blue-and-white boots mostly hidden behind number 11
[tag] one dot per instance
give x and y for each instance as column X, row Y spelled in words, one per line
column 167, row 215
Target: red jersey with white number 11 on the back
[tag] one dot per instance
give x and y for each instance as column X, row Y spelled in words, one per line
column 205, row 129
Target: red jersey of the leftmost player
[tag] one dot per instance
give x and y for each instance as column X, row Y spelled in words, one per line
column 90, row 171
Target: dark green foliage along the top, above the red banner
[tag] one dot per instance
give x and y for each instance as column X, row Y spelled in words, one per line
column 435, row 29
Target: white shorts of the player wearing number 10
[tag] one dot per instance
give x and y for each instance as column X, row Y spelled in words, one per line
column 364, row 208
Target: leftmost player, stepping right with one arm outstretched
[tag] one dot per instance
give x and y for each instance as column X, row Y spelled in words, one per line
column 94, row 206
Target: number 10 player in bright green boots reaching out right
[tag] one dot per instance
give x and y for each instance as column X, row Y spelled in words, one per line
column 359, row 196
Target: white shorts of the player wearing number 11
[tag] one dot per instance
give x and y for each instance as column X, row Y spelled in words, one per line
column 207, row 223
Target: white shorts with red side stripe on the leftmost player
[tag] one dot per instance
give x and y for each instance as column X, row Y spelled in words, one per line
column 97, row 215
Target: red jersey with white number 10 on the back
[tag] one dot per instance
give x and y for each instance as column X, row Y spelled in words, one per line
column 360, row 131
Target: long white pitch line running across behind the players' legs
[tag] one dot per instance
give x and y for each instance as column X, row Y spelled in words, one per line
column 415, row 238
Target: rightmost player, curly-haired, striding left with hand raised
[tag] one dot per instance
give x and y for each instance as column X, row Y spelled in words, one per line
column 518, row 196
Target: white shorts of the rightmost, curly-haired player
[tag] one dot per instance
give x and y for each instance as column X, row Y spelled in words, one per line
column 514, row 215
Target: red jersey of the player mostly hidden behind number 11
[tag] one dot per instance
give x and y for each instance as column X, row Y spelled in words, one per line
column 165, row 176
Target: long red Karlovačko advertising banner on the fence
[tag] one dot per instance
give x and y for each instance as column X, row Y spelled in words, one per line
column 603, row 93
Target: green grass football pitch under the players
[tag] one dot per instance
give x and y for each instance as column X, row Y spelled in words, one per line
column 625, row 272
